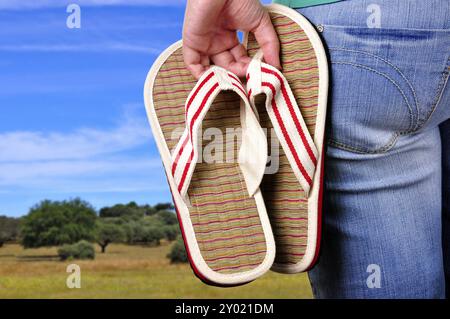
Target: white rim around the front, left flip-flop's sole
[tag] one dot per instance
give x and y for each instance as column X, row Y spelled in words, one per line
column 183, row 211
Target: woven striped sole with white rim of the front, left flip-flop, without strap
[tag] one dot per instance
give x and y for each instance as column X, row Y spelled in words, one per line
column 227, row 233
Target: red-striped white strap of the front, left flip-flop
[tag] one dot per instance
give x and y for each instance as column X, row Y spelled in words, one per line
column 253, row 152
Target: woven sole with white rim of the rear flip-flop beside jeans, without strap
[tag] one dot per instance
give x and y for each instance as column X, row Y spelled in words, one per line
column 295, row 218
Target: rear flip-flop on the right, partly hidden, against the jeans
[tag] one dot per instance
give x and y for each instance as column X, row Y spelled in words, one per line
column 293, row 108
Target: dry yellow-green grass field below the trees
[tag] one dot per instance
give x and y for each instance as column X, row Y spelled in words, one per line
column 126, row 272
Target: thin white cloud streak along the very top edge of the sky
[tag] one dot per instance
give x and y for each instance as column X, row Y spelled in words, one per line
column 37, row 4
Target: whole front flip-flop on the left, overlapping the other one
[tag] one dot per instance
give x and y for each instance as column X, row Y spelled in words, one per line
column 220, row 208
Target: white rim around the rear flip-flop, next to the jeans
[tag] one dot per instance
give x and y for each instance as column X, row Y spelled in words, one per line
column 313, row 200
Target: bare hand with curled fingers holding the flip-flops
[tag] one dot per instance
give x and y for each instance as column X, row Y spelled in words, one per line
column 209, row 35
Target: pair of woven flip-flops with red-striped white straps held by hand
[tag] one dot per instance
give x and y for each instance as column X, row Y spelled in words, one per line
column 215, row 137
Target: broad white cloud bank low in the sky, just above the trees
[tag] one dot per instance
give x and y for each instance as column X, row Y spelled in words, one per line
column 85, row 160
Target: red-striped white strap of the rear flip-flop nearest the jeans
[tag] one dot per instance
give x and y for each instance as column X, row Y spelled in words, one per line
column 286, row 119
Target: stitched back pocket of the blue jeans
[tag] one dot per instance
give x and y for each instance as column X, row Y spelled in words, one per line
column 373, row 100
